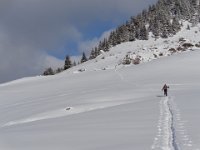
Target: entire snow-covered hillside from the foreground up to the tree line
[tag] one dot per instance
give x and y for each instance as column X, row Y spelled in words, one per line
column 103, row 104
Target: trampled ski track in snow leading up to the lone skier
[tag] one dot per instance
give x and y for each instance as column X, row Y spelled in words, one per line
column 171, row 134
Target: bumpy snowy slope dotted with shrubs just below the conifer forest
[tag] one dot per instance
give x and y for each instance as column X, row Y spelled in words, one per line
column 144, row 50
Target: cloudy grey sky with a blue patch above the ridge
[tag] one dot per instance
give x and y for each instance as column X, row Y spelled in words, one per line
column 37, row 34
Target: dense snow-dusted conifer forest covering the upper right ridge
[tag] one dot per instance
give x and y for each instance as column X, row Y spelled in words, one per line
column 162, row 19
